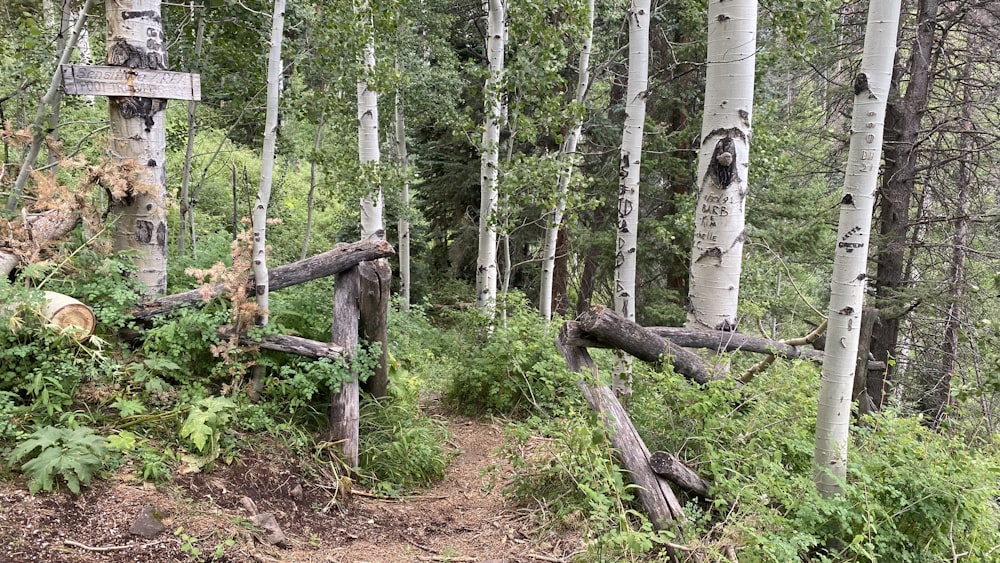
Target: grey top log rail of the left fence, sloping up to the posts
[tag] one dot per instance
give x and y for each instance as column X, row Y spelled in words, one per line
column 341, row 257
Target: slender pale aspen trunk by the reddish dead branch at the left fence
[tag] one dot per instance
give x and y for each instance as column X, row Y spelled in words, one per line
column 259, row 214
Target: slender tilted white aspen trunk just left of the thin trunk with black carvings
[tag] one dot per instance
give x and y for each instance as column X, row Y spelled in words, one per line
column 567, row 155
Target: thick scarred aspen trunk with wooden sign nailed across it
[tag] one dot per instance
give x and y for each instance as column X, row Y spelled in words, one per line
column 138, row 86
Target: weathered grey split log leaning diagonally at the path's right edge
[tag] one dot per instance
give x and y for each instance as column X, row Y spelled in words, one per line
column 654, row 492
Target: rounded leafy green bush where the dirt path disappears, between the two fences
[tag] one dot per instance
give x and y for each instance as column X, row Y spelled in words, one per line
column 510, row 368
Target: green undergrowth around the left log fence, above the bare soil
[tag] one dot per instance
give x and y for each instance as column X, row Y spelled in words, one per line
column 171, row 397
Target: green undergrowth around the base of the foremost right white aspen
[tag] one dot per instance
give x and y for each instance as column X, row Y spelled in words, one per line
column 912, row 495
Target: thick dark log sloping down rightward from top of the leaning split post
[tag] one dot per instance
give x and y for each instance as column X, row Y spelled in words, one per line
column 602, row 324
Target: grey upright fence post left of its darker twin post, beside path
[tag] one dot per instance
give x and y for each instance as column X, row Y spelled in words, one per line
column 344, row 406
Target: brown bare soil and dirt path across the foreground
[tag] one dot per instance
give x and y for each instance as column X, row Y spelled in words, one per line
column 464, row 518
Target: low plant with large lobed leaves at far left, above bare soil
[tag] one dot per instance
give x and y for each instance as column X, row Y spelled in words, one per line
column 50, row 453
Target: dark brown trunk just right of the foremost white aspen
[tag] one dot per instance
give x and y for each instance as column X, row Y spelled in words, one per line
column 902, row 130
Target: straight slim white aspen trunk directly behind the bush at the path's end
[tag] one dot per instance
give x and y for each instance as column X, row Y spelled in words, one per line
column 486, row 263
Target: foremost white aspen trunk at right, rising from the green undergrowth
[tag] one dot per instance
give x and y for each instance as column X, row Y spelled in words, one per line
column 847, row 288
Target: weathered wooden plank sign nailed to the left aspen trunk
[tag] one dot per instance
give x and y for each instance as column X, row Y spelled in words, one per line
column 121, row 81
